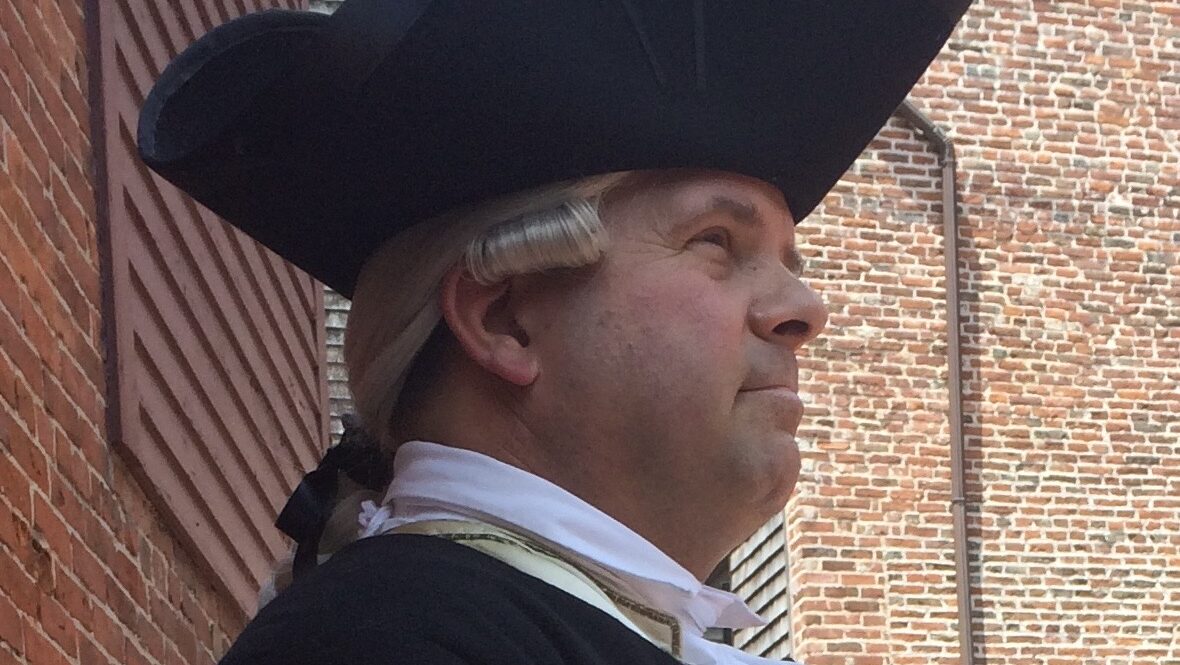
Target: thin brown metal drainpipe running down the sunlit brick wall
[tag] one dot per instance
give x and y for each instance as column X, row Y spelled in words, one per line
column 946, row 149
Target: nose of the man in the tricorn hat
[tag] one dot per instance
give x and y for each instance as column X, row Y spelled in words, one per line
column 789, row 313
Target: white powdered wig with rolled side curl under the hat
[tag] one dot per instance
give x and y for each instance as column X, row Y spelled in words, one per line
column 396, row 305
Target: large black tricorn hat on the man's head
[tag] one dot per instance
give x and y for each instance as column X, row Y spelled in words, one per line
column 322, row 137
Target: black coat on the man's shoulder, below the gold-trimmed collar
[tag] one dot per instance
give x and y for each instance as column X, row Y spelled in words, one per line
column 402, row 598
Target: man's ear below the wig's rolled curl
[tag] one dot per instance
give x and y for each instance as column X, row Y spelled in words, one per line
column 482, row 319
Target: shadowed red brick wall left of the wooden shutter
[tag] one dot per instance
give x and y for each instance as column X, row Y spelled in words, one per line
column 88, row 572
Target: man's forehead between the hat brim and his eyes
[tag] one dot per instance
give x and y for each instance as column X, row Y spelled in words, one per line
column 664, row 200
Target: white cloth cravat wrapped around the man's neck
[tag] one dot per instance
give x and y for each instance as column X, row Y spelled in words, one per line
column 441, row 483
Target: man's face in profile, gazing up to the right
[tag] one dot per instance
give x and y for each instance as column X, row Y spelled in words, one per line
column 676, row 358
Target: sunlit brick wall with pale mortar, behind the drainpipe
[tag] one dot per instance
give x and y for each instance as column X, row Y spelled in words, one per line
column 1066, row 116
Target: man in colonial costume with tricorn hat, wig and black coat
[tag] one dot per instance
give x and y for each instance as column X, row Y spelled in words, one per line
column 568, row 229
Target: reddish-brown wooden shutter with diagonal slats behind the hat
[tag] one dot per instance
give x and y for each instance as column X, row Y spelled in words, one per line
column 219, row 389
